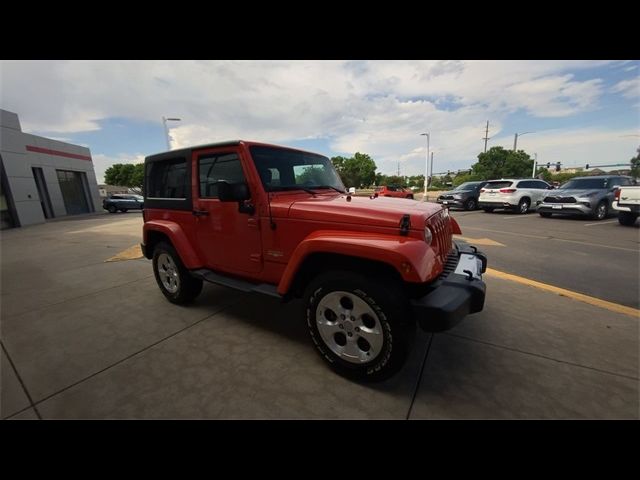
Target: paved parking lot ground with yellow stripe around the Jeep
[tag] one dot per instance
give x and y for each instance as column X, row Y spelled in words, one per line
column 87, row 335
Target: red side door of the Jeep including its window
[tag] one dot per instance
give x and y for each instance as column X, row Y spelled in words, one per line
column 227, row 239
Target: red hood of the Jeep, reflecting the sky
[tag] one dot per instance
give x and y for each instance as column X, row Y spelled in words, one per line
column 380, row 211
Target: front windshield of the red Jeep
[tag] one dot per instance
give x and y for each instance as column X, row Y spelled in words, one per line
column 282, row 170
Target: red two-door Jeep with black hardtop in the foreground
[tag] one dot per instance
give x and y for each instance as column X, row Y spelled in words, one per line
column 275, row 220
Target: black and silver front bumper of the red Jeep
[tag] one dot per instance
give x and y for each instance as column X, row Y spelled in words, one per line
column 456, row 295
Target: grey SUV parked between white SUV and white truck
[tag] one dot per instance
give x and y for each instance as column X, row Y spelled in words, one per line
column 588, row 196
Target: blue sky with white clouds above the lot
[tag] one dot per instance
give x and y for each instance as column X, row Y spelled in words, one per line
column 580, row 111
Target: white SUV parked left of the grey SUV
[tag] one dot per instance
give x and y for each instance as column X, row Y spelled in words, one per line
column 516, row 194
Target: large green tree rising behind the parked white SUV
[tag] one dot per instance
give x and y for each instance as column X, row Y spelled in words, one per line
column 501, row 163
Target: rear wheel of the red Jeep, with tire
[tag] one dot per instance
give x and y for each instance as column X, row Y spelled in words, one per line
column 172, row 277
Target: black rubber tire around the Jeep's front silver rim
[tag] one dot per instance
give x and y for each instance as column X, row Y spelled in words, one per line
column 390, row 307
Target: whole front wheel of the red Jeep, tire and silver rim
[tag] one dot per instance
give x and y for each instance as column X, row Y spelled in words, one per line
column 359, row 325
